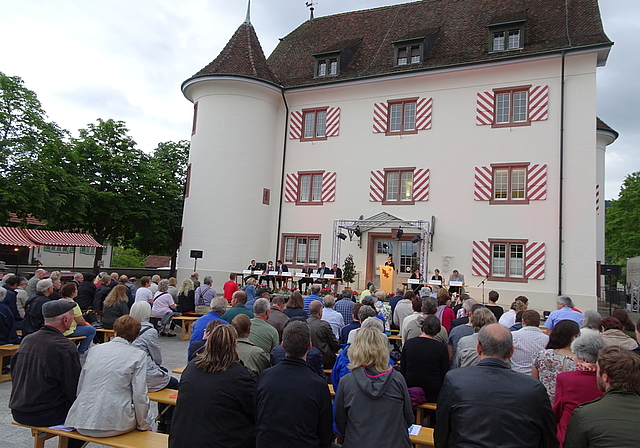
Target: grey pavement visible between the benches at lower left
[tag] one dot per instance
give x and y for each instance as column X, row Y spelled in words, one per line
column 174, row 355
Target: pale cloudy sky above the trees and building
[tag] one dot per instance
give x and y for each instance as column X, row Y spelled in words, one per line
column 126, row 60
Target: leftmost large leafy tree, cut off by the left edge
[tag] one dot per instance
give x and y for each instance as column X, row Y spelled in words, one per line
column 34, row 155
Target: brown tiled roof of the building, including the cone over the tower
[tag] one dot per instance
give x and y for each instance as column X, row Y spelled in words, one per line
column 459, row 29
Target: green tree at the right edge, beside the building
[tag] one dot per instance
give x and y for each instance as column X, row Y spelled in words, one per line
column 622, row 222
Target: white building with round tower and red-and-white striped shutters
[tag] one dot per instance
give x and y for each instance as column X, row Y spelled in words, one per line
column 478, row 116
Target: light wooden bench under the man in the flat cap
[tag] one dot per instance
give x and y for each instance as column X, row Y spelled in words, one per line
column 133, row 439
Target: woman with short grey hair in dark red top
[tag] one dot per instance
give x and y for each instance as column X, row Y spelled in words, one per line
column 578, row 386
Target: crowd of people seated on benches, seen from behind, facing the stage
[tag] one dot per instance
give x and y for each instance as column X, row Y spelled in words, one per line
column 241, row 363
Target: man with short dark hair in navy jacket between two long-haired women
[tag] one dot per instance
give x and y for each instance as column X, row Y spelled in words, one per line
column 289, row 389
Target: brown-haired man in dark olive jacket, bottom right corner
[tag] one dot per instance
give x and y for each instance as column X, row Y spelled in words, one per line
column 610, row 421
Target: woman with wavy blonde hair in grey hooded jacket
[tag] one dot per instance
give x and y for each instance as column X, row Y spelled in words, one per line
column 373, row 388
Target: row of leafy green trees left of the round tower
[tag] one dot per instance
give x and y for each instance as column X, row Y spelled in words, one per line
column 99, row 183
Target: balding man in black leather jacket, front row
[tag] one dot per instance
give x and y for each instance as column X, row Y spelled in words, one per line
column 519, row 407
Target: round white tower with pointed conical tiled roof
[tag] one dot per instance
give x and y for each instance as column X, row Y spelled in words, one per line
column 233, row 186
